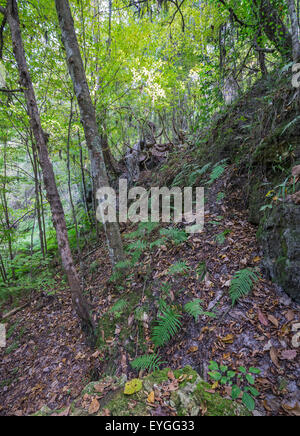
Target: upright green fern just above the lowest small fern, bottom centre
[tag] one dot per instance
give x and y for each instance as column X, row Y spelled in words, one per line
column 167, row 326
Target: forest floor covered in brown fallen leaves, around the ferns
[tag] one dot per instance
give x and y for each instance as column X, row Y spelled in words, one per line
column 48, row 362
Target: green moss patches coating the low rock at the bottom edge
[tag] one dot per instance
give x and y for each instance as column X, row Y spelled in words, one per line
column 191, row 396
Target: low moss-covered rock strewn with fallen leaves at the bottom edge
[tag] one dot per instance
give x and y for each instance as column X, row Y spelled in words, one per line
column 164, row 393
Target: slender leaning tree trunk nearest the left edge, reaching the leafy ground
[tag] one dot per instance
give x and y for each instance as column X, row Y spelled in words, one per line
column 47, row 169
